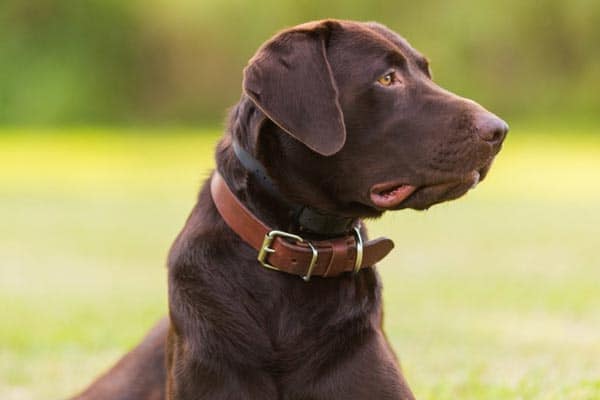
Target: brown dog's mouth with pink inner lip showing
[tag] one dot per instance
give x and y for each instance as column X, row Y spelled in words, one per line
column 396, row 195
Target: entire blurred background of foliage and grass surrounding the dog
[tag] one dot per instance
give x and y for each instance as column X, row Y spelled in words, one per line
column 109, row 112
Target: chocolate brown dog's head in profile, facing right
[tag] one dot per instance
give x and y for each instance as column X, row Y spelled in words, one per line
column 355, row 125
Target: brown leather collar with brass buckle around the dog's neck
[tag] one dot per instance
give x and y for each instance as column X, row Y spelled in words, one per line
column 290, row 253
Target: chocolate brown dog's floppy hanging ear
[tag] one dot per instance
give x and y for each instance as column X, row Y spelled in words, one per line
column 290, row 80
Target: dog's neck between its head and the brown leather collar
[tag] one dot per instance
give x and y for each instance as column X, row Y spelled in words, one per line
column 249, row 181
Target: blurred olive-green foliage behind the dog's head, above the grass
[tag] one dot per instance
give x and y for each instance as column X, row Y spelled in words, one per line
column 180, row 61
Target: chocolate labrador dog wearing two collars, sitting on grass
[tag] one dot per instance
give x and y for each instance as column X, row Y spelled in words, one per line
column 273, row 292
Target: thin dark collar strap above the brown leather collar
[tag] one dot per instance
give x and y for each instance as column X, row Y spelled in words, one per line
column 306, row 218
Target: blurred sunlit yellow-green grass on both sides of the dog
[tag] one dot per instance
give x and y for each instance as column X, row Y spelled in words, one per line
column 495, row 296
